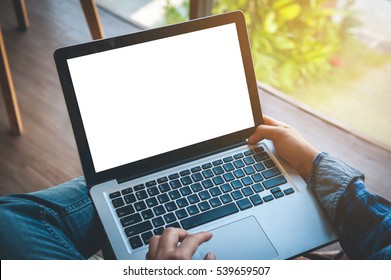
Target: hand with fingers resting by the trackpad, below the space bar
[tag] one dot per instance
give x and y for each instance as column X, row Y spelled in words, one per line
column 177, row 244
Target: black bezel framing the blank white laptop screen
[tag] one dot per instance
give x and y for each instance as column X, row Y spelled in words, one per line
column 172, row 158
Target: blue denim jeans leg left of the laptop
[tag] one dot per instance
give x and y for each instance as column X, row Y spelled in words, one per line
column 55, row 223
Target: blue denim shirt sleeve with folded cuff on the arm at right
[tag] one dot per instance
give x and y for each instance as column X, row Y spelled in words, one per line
column 362, row 218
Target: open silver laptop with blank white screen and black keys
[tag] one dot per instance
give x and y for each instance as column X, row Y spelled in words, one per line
column 161, row 119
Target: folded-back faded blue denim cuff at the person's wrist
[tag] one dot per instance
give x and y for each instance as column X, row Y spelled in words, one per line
column 329, row 179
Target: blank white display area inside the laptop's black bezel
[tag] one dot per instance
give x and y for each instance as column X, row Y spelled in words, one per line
column 147, row 99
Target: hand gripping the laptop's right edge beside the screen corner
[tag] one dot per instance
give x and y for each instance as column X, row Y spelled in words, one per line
column 290, row 145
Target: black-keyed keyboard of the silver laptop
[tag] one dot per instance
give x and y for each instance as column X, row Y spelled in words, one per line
column 199, row 195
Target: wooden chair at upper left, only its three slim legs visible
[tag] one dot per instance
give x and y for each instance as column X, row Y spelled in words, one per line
column 91, row 13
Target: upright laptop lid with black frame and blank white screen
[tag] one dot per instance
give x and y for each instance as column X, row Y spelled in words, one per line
column 157, row 98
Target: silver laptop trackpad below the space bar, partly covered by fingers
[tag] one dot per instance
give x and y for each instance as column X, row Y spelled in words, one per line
column 240, row 240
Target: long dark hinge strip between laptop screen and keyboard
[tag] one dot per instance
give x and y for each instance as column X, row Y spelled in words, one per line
column 241, row 143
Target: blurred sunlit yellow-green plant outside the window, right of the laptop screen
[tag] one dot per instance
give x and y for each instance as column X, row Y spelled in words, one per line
column 293, row 41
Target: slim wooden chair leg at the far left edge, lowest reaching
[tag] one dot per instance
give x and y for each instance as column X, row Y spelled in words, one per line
column 8, row 89
